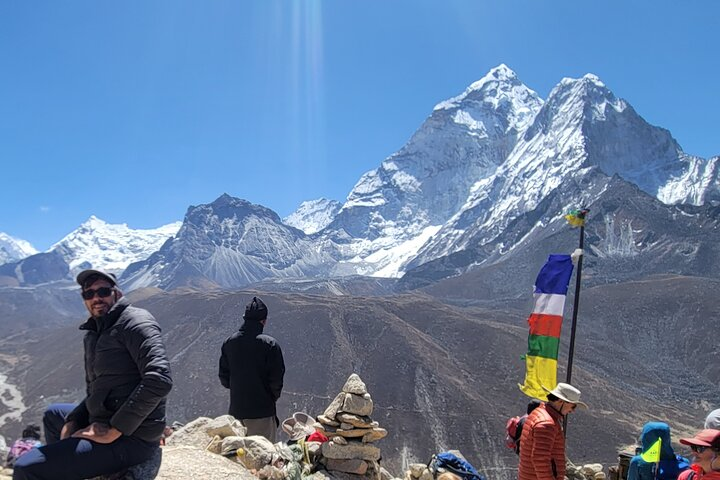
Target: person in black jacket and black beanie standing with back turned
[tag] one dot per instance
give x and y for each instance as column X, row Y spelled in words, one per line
column 252, row 367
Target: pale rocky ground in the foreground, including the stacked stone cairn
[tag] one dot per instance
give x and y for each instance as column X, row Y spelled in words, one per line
column 217, row 449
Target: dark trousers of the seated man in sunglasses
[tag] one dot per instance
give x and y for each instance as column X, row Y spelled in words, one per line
column 75, row 458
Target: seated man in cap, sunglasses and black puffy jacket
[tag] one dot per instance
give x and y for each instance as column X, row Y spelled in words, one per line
column 127, row 373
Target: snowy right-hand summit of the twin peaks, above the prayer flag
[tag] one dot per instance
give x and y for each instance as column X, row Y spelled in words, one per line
column 581, row 129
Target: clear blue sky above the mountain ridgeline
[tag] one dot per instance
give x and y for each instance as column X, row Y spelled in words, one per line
column 134, row 110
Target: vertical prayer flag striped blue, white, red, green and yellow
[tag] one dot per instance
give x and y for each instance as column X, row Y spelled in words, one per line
column 545, row 324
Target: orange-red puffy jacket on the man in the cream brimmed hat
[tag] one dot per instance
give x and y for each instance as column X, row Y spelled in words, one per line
column 542, row 446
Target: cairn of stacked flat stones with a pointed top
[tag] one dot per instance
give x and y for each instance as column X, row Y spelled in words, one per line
column 347, row 423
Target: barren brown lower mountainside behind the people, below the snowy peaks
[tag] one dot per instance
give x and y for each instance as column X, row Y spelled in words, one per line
column 440, row 377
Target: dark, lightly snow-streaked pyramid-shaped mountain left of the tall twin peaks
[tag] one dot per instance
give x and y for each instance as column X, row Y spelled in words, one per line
column 228, row 243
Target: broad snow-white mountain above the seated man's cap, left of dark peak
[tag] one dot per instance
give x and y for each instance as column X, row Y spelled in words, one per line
column 96, row 243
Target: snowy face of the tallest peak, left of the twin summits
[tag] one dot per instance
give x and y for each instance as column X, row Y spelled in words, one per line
column 403, row 202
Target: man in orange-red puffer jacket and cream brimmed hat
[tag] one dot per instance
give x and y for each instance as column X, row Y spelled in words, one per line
column 542, row 452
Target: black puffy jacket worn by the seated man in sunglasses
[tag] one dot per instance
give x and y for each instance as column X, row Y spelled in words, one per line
column 127, row 373
